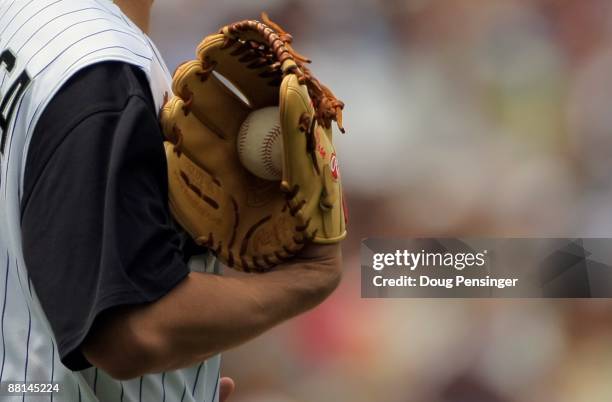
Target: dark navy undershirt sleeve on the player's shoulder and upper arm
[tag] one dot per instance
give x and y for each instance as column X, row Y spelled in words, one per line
column 97, row 232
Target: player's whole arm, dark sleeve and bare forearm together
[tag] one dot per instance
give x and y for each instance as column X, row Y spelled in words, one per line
column 104, row 259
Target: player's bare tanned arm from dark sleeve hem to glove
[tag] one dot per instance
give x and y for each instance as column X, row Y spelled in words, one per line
column 206, row 314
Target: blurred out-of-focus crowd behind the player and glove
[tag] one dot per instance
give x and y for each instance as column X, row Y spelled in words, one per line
column 464, row 118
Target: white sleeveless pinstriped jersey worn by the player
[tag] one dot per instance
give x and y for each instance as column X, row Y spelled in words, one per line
column 42, row 44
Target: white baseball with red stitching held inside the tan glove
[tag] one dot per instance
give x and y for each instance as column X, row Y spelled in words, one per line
column 260, row 143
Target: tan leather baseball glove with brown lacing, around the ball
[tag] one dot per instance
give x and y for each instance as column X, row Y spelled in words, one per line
column 250, row 223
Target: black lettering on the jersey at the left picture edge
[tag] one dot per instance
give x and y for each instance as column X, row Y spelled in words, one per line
column 9, row 100
